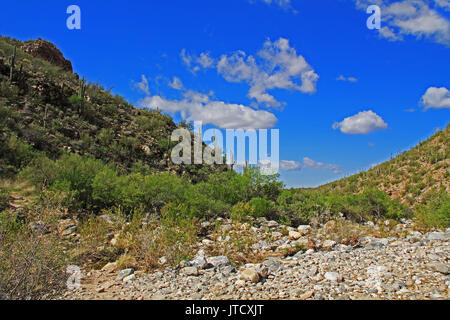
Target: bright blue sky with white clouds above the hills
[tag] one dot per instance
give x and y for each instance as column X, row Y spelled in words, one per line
column 299, row 66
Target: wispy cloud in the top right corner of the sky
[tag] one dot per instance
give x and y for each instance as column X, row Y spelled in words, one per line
column 418, row 18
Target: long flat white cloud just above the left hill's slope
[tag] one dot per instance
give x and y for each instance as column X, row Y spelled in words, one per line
column 196, row 106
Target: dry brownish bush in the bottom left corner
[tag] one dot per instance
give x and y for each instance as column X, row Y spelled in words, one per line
column 32, row 266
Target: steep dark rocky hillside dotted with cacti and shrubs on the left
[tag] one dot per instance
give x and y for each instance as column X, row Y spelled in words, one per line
column 44, row 107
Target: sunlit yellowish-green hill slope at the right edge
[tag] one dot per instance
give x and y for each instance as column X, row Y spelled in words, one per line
column 410, row 176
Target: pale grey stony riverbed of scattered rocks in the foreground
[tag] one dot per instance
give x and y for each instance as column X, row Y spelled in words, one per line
column 414, row 267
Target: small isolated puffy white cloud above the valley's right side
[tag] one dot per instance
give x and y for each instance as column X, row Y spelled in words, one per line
column 362, row 123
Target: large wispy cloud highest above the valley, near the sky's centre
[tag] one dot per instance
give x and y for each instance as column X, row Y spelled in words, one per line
column 277, row 66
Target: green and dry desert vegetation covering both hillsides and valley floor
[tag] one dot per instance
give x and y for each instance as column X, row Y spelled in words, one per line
column 86, row 179
